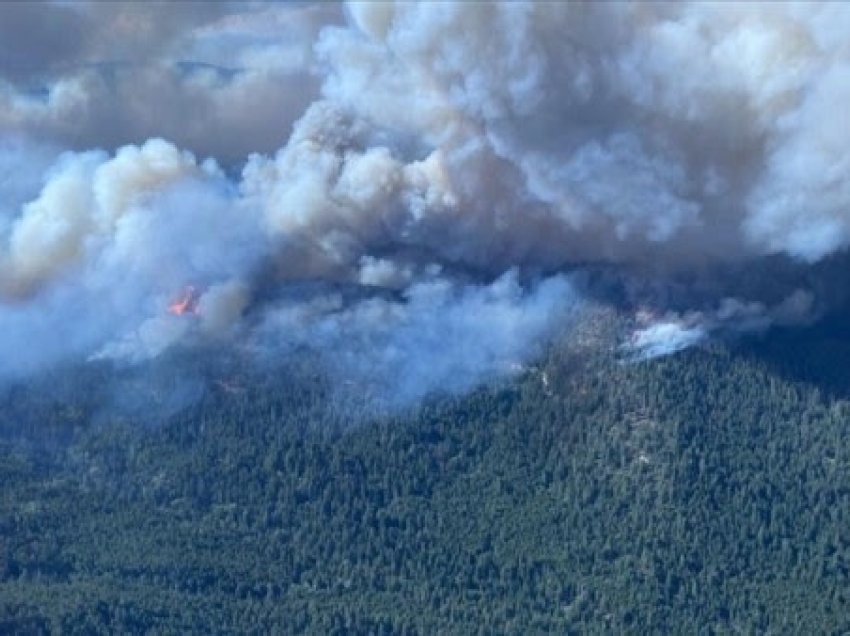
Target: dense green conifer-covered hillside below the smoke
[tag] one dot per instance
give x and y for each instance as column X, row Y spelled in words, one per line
column 707, row 492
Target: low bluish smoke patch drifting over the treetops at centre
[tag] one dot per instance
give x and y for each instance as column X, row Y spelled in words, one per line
column 442, row 337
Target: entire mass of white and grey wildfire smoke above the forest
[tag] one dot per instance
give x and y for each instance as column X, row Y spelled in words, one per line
column 439, row 165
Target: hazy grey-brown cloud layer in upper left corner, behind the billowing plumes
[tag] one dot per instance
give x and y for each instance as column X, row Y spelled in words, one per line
column 220, row 78
